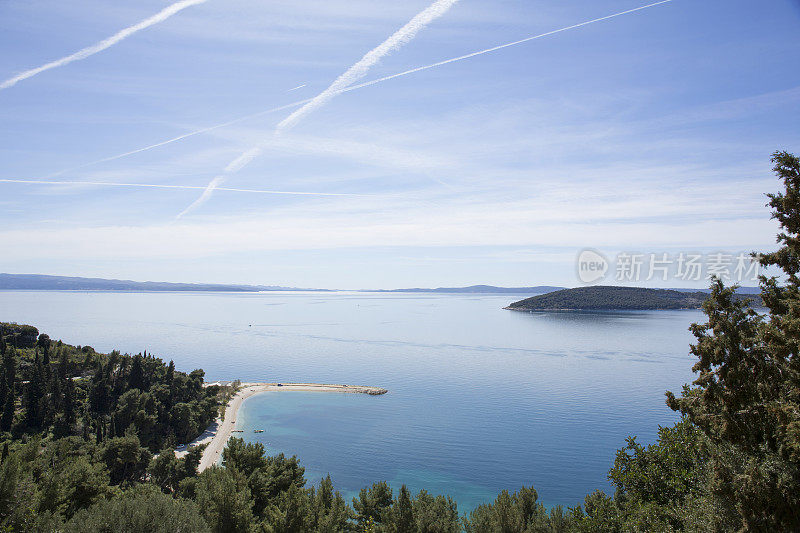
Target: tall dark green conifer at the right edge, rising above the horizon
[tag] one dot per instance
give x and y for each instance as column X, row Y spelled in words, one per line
column 746, row 398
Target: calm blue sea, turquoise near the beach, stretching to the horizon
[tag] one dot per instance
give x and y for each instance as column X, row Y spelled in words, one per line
column 481, row 399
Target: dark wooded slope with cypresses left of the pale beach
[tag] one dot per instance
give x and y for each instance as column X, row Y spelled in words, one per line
column 56, row 388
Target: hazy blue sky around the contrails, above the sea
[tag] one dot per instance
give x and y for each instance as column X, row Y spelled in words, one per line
column 649, row 132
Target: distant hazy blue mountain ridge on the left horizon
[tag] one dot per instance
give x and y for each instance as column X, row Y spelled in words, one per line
column 38, row 282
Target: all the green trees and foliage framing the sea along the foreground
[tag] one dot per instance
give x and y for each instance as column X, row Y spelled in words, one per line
column 80, row 429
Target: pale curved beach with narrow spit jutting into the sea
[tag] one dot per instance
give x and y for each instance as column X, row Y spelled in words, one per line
column 218, row 433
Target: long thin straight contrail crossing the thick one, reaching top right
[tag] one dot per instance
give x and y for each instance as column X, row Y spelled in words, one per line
column 358, row 86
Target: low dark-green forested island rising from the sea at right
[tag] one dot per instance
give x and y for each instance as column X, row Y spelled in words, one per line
column 609, row 298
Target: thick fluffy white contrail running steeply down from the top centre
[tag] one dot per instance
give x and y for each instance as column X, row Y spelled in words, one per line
column 354, row 73
